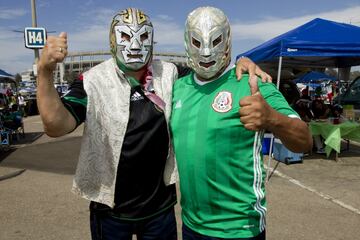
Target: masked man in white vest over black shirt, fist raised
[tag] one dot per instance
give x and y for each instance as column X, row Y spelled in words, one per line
column 126, row 167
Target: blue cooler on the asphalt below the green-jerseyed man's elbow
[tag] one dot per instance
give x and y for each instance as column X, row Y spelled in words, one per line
column 282, row 154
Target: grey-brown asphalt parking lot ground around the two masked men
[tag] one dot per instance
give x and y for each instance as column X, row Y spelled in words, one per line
column 317, row 199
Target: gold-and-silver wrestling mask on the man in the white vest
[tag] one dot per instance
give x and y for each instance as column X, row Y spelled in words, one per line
column 131, row 39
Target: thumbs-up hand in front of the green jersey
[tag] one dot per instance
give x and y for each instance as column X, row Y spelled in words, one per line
column 255, row 112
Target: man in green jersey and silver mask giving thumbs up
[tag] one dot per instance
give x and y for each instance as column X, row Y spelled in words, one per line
column 217, row 126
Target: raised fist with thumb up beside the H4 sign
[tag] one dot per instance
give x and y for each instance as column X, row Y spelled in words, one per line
column 54, row 52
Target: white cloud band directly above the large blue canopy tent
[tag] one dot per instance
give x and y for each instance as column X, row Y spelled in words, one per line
column 272, row 27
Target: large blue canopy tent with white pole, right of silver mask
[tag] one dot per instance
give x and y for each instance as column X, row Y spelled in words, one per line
column 318, row 43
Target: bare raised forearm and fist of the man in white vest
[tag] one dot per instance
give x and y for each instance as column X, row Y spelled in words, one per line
column 56, row 118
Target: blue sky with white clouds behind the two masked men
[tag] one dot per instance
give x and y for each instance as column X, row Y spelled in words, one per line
column 87, row 22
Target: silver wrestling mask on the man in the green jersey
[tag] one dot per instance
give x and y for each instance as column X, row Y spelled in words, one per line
column 208, row 42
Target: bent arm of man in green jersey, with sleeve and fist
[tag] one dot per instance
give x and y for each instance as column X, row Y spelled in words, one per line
column 257, row 114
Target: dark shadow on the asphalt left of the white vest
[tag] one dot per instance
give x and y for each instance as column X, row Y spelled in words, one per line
column 57, row 157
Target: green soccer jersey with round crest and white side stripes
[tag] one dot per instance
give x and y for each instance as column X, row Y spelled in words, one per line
column 219, row 161
